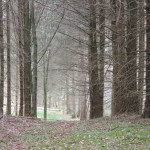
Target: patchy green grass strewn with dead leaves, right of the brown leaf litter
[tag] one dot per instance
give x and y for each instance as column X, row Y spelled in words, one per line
column 111, row 135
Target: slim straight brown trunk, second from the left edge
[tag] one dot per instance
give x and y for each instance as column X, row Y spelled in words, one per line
column 8, row 61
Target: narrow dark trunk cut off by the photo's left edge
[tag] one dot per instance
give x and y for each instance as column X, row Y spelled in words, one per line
column 1, row 60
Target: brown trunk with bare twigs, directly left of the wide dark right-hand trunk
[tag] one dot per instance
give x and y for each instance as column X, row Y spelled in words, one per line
column 122, row 93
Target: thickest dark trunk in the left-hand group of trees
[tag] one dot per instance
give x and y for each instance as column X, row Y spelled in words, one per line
column 27, row 59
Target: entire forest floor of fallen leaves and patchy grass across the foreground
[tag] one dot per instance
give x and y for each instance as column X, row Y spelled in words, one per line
column 118, row 133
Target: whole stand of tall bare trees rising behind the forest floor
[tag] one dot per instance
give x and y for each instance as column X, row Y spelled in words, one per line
column 98, row 49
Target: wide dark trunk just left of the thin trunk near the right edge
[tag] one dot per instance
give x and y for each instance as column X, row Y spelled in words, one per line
column 133, row 101
